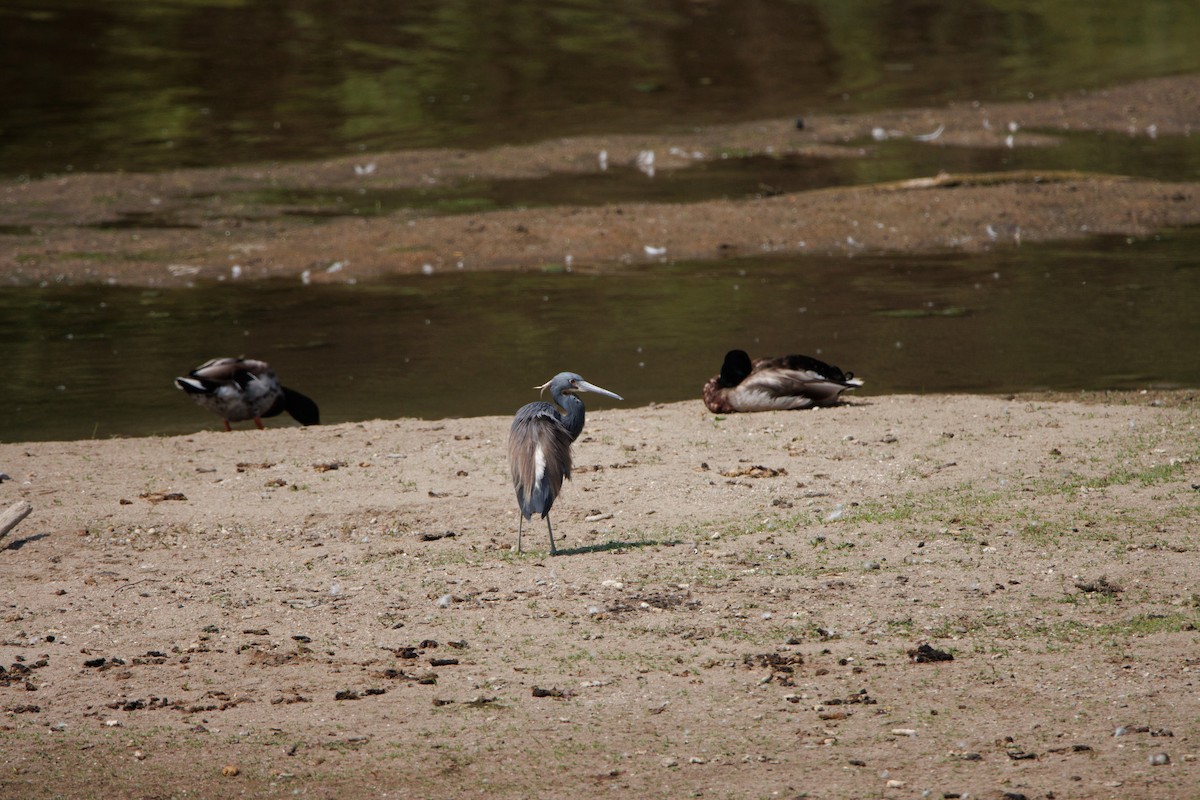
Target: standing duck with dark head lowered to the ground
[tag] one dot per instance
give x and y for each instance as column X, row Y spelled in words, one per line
column 244, row 389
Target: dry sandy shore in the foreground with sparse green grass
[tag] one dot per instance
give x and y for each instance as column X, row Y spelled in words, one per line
column 338, row 612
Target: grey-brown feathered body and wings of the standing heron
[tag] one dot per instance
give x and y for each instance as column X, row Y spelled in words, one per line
column 541, row 458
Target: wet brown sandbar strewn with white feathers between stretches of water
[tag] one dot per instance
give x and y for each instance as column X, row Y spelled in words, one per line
column 181, row 227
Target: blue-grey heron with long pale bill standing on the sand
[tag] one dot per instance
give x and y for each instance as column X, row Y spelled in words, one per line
column 541, row 447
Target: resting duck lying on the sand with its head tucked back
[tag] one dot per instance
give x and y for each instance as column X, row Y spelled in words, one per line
column 769, row 384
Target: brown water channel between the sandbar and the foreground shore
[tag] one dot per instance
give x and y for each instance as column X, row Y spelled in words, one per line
column 1109, row 314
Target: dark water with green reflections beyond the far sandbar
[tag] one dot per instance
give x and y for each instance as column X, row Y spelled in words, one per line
column 153, row 85
